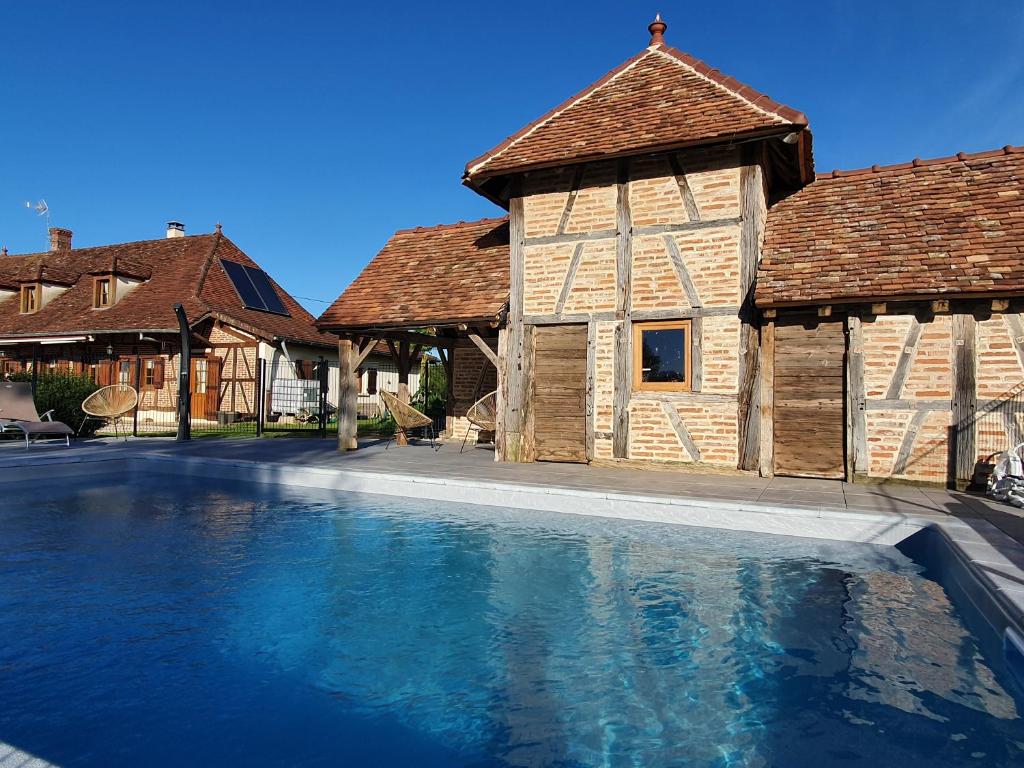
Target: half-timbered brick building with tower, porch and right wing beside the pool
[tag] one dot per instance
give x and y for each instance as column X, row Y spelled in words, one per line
column 673, row 284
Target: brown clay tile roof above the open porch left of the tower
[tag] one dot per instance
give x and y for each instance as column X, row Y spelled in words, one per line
column 430, row 277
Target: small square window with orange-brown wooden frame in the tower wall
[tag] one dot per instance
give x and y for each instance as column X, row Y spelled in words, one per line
column 662, row 357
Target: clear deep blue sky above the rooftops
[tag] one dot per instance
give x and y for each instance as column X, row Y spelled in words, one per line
column 314, row 131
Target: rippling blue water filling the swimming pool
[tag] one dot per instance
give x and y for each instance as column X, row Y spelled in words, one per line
column 258, row 626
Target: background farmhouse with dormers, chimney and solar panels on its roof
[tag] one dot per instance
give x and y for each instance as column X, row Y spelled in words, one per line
column 109, row 311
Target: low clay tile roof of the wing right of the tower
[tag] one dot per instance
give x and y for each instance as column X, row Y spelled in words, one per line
column 930, row 228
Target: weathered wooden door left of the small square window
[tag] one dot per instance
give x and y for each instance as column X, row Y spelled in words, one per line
column 561, row 394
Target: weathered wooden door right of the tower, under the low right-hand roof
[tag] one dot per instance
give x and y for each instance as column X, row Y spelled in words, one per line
column 810, row 420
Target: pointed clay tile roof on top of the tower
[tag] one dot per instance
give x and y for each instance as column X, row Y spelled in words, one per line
column 660, row 99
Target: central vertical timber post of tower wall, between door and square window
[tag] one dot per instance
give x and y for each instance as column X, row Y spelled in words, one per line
column 623, row 369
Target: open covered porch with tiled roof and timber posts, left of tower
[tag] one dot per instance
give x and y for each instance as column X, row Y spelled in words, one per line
column 444, row 288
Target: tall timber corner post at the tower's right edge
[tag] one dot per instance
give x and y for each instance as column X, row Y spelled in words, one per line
column 749, row 392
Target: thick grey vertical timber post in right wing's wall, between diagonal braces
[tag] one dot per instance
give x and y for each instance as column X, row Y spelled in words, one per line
column 965, row 402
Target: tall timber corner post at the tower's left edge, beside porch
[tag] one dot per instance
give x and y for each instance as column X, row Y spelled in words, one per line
column 511, row 368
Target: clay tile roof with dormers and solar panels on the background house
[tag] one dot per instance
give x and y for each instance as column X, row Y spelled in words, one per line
column 175, row 270
